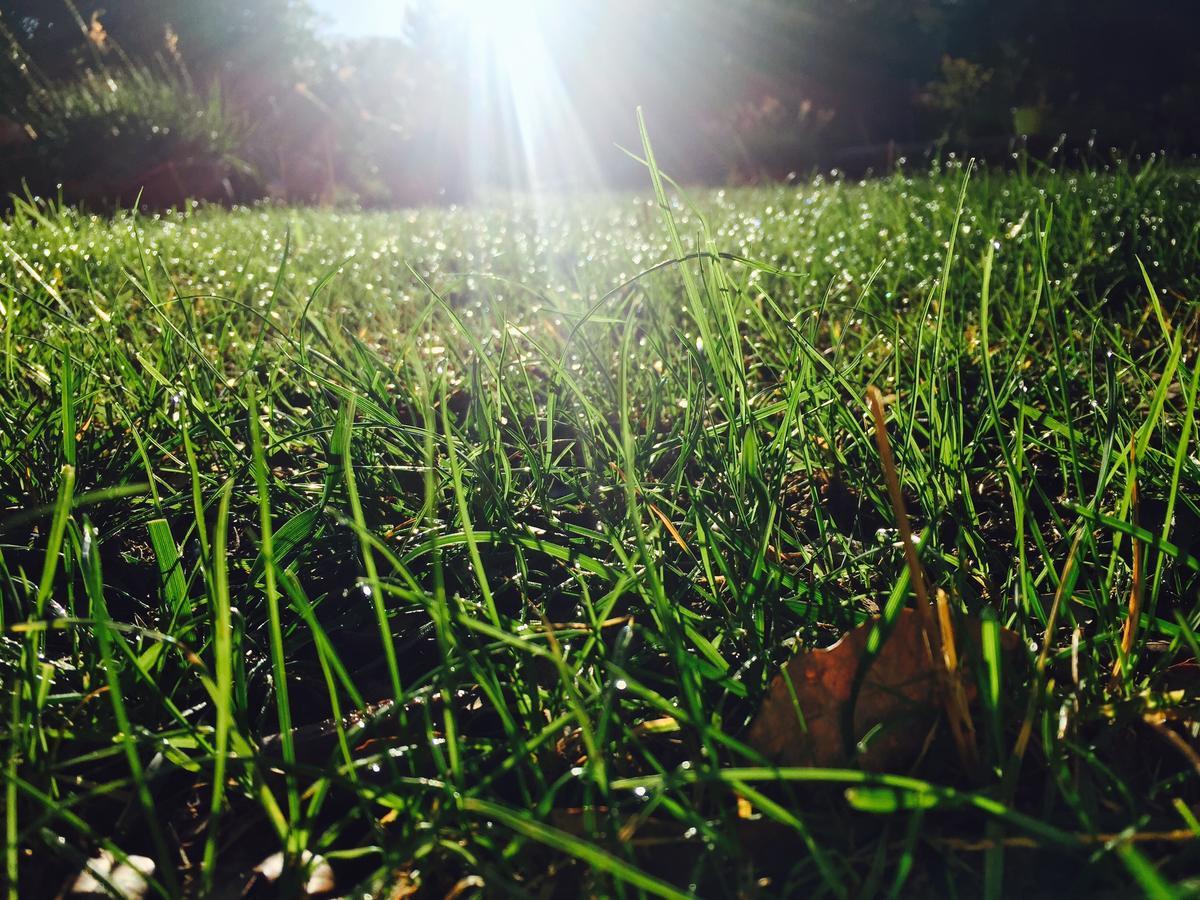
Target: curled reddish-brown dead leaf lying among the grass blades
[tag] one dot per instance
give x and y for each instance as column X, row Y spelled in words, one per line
column 899, row 693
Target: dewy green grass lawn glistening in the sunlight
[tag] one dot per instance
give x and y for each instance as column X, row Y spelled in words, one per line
column 460, row 547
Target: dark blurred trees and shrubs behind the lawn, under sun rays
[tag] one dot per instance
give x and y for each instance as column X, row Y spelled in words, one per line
column 238, row 100
